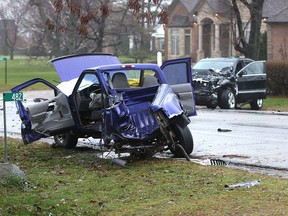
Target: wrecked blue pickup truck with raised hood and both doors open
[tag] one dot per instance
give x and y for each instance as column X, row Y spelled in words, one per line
column 136, row 108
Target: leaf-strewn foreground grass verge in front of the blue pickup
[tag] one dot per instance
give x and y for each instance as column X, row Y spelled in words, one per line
column 77, row 182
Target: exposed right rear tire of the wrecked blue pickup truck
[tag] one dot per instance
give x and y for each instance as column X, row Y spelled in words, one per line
column 184, row 138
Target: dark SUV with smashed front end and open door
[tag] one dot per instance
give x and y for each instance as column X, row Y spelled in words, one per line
column 226, row 82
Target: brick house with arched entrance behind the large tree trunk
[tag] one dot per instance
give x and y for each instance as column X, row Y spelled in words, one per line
column 203, row 28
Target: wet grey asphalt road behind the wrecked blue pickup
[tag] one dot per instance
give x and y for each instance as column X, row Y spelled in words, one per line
column 247, row 137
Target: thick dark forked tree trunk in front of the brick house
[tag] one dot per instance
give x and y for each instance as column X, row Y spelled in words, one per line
column 250, row 47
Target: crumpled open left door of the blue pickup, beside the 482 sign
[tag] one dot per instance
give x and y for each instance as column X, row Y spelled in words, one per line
column 49, row 116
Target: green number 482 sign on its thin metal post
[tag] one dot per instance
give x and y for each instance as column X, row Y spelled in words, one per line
column 10, row 96
